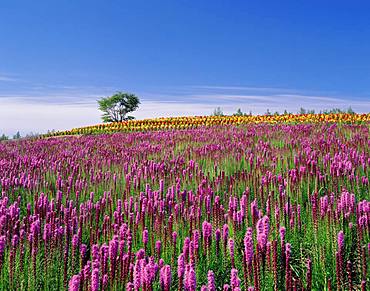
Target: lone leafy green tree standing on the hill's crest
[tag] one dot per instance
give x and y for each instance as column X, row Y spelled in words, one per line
column 116, row 107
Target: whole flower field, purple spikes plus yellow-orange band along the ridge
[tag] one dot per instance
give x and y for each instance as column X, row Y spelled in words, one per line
column 270, row 204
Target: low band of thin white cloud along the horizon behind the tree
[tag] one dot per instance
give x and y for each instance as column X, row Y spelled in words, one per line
column 39, row 113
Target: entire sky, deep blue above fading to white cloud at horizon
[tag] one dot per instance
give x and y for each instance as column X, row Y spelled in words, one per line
column 180, row 57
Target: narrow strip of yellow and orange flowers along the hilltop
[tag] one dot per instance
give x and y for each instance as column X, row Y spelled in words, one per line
column 164, row 123
